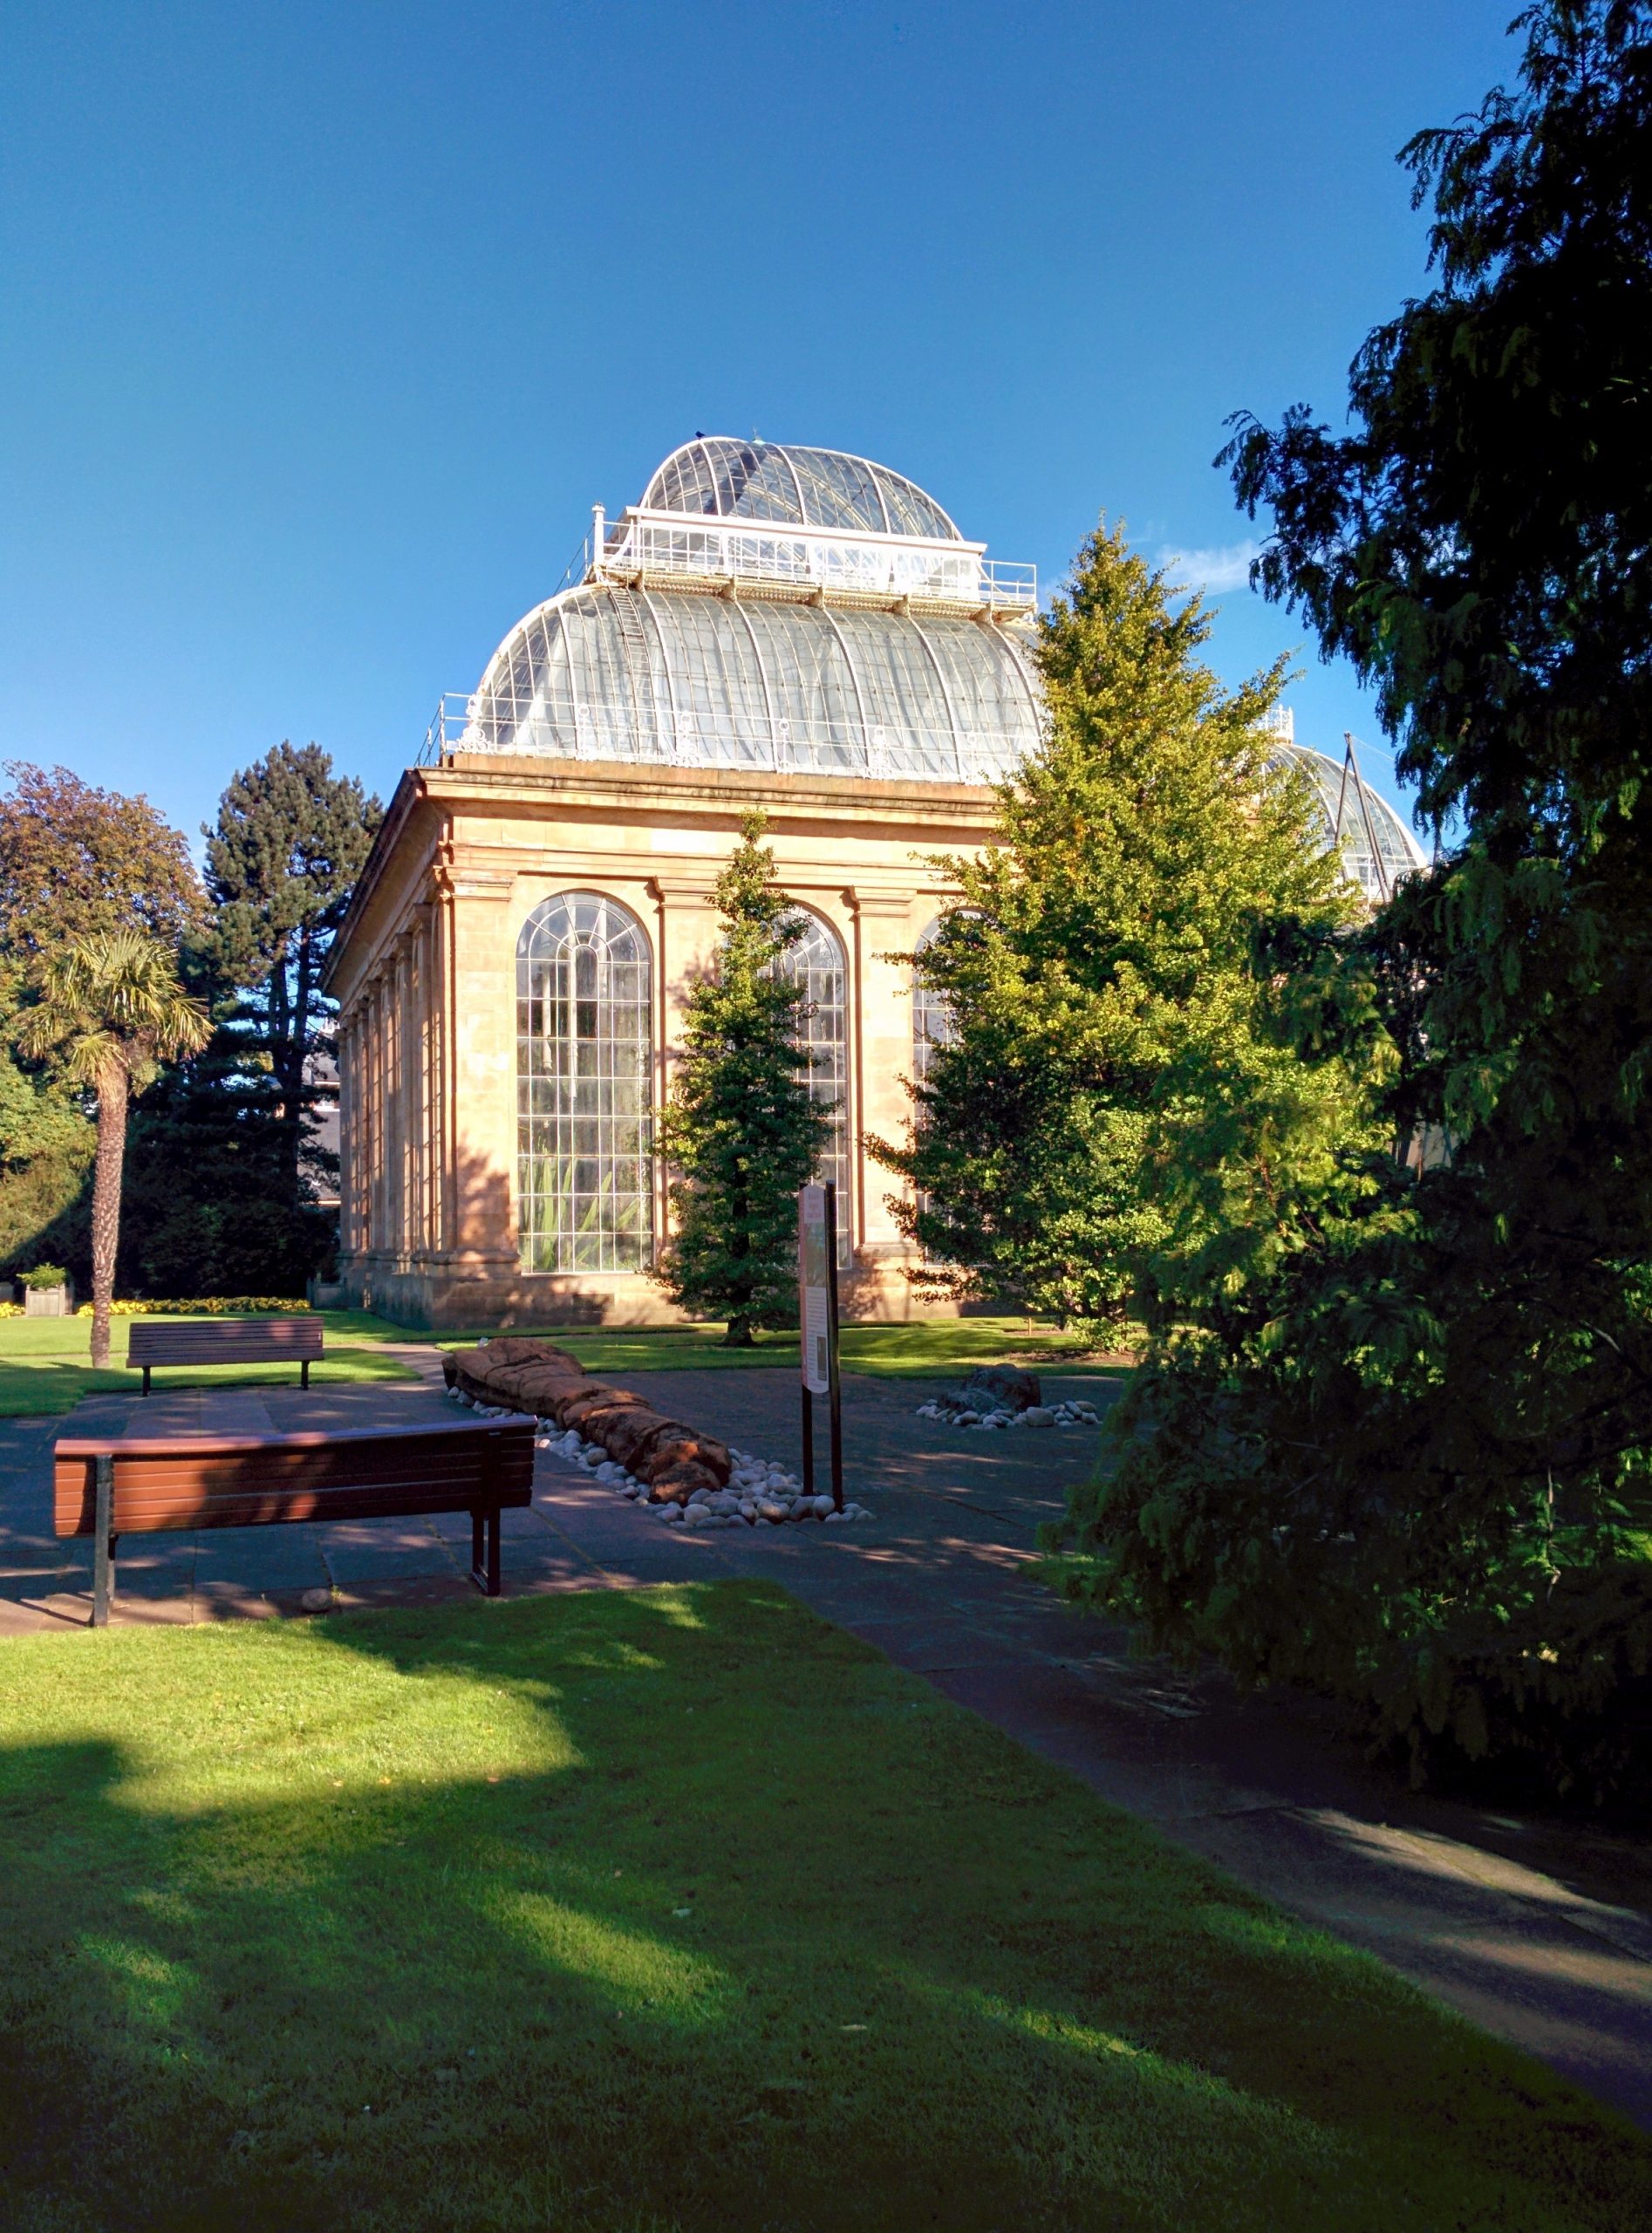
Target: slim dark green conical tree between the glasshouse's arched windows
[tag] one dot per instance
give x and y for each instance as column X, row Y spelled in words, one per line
column 740, row 1129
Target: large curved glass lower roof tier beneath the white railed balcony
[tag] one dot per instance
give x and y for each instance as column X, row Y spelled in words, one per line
column 711, row 682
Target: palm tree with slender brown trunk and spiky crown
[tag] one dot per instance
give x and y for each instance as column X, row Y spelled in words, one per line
column 113, row 1013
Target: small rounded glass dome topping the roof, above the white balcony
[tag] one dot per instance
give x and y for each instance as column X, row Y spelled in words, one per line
column 722, row 479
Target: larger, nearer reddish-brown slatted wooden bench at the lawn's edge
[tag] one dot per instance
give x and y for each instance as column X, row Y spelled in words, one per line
column 113, row 1486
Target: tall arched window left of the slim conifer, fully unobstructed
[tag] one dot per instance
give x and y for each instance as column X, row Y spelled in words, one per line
column 584, row 1086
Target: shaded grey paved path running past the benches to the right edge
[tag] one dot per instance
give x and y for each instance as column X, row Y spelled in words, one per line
column 1537, row 1930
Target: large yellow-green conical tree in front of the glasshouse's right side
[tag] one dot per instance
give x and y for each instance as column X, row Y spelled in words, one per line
column 1097, row 975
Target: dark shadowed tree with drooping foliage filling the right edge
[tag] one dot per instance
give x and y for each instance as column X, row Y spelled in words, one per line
column 1410, row 1459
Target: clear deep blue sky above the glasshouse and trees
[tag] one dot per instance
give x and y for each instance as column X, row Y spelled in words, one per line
column 325, row 327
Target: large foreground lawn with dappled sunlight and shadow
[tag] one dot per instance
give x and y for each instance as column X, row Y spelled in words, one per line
column 678, row 1908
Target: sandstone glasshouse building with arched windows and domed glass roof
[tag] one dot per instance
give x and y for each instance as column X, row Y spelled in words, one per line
column 771, row 629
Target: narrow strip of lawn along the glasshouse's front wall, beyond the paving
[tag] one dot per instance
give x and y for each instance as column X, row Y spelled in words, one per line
column 930, row 1350
